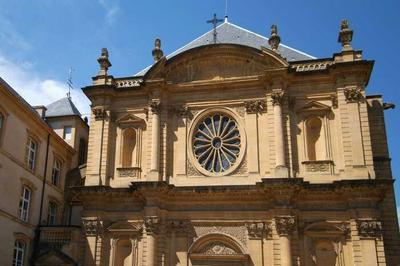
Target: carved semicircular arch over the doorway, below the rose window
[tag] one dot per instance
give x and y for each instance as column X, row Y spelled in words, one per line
column 217, row 249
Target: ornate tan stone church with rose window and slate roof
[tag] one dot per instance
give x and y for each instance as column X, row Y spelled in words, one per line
column 237, row 150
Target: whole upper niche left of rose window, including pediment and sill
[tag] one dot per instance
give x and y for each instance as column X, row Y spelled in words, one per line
column 128, row 152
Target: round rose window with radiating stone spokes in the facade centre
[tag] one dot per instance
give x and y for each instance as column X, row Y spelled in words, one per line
column 216, row 143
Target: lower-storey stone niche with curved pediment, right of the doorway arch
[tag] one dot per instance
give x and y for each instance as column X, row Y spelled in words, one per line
column 325, row 244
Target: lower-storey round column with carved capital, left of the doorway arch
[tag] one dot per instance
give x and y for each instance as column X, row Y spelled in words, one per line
column 152, row 226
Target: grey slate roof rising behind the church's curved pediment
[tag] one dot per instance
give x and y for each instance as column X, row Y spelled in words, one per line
column 229, row 33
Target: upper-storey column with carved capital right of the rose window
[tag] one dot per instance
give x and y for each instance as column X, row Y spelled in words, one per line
column 280, row 165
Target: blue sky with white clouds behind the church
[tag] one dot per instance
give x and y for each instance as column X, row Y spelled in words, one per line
column 40, row 40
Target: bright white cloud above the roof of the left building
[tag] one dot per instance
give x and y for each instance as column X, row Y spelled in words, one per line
column 37, row 90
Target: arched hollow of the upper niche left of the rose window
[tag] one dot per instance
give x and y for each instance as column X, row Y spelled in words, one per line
column 128, row 155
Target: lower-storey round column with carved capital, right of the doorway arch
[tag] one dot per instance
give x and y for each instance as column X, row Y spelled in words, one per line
column 284, row 227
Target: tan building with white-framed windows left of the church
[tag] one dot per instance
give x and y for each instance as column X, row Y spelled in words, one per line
column 35, row 160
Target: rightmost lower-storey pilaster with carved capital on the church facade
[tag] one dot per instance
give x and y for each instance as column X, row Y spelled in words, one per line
column 369, row 231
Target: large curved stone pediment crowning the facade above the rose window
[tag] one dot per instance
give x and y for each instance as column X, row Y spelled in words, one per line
column 216, row 62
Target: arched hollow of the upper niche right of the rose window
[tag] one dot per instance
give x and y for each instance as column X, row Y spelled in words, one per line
column 315, row 139
